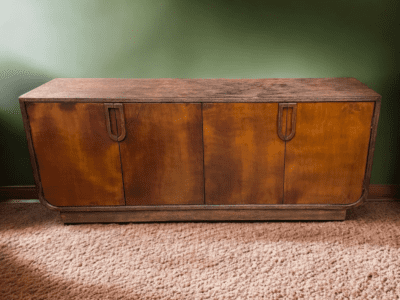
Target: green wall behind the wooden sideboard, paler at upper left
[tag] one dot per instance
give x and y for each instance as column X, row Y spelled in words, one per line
column 42, row 40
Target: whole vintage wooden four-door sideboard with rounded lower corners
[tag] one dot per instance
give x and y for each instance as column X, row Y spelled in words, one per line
column 152, row 150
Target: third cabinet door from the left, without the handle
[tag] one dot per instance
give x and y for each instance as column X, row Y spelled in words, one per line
column 243, row 154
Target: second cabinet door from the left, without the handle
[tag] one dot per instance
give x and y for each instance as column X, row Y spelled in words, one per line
column 162, row 154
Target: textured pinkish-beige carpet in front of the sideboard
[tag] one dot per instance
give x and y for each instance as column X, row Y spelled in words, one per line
column 359, row 258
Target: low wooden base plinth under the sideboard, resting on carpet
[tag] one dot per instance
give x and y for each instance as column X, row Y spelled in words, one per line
column 202, row 215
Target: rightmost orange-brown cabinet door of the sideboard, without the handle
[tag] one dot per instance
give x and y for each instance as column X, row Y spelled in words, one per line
column 326, row 159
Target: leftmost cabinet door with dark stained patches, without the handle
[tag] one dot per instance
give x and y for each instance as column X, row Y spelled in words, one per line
column 79, row 165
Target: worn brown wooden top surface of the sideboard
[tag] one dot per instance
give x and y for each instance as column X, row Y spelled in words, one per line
column 202, row 90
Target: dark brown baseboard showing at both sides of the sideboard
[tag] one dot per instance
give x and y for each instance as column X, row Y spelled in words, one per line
column 376, row 192
